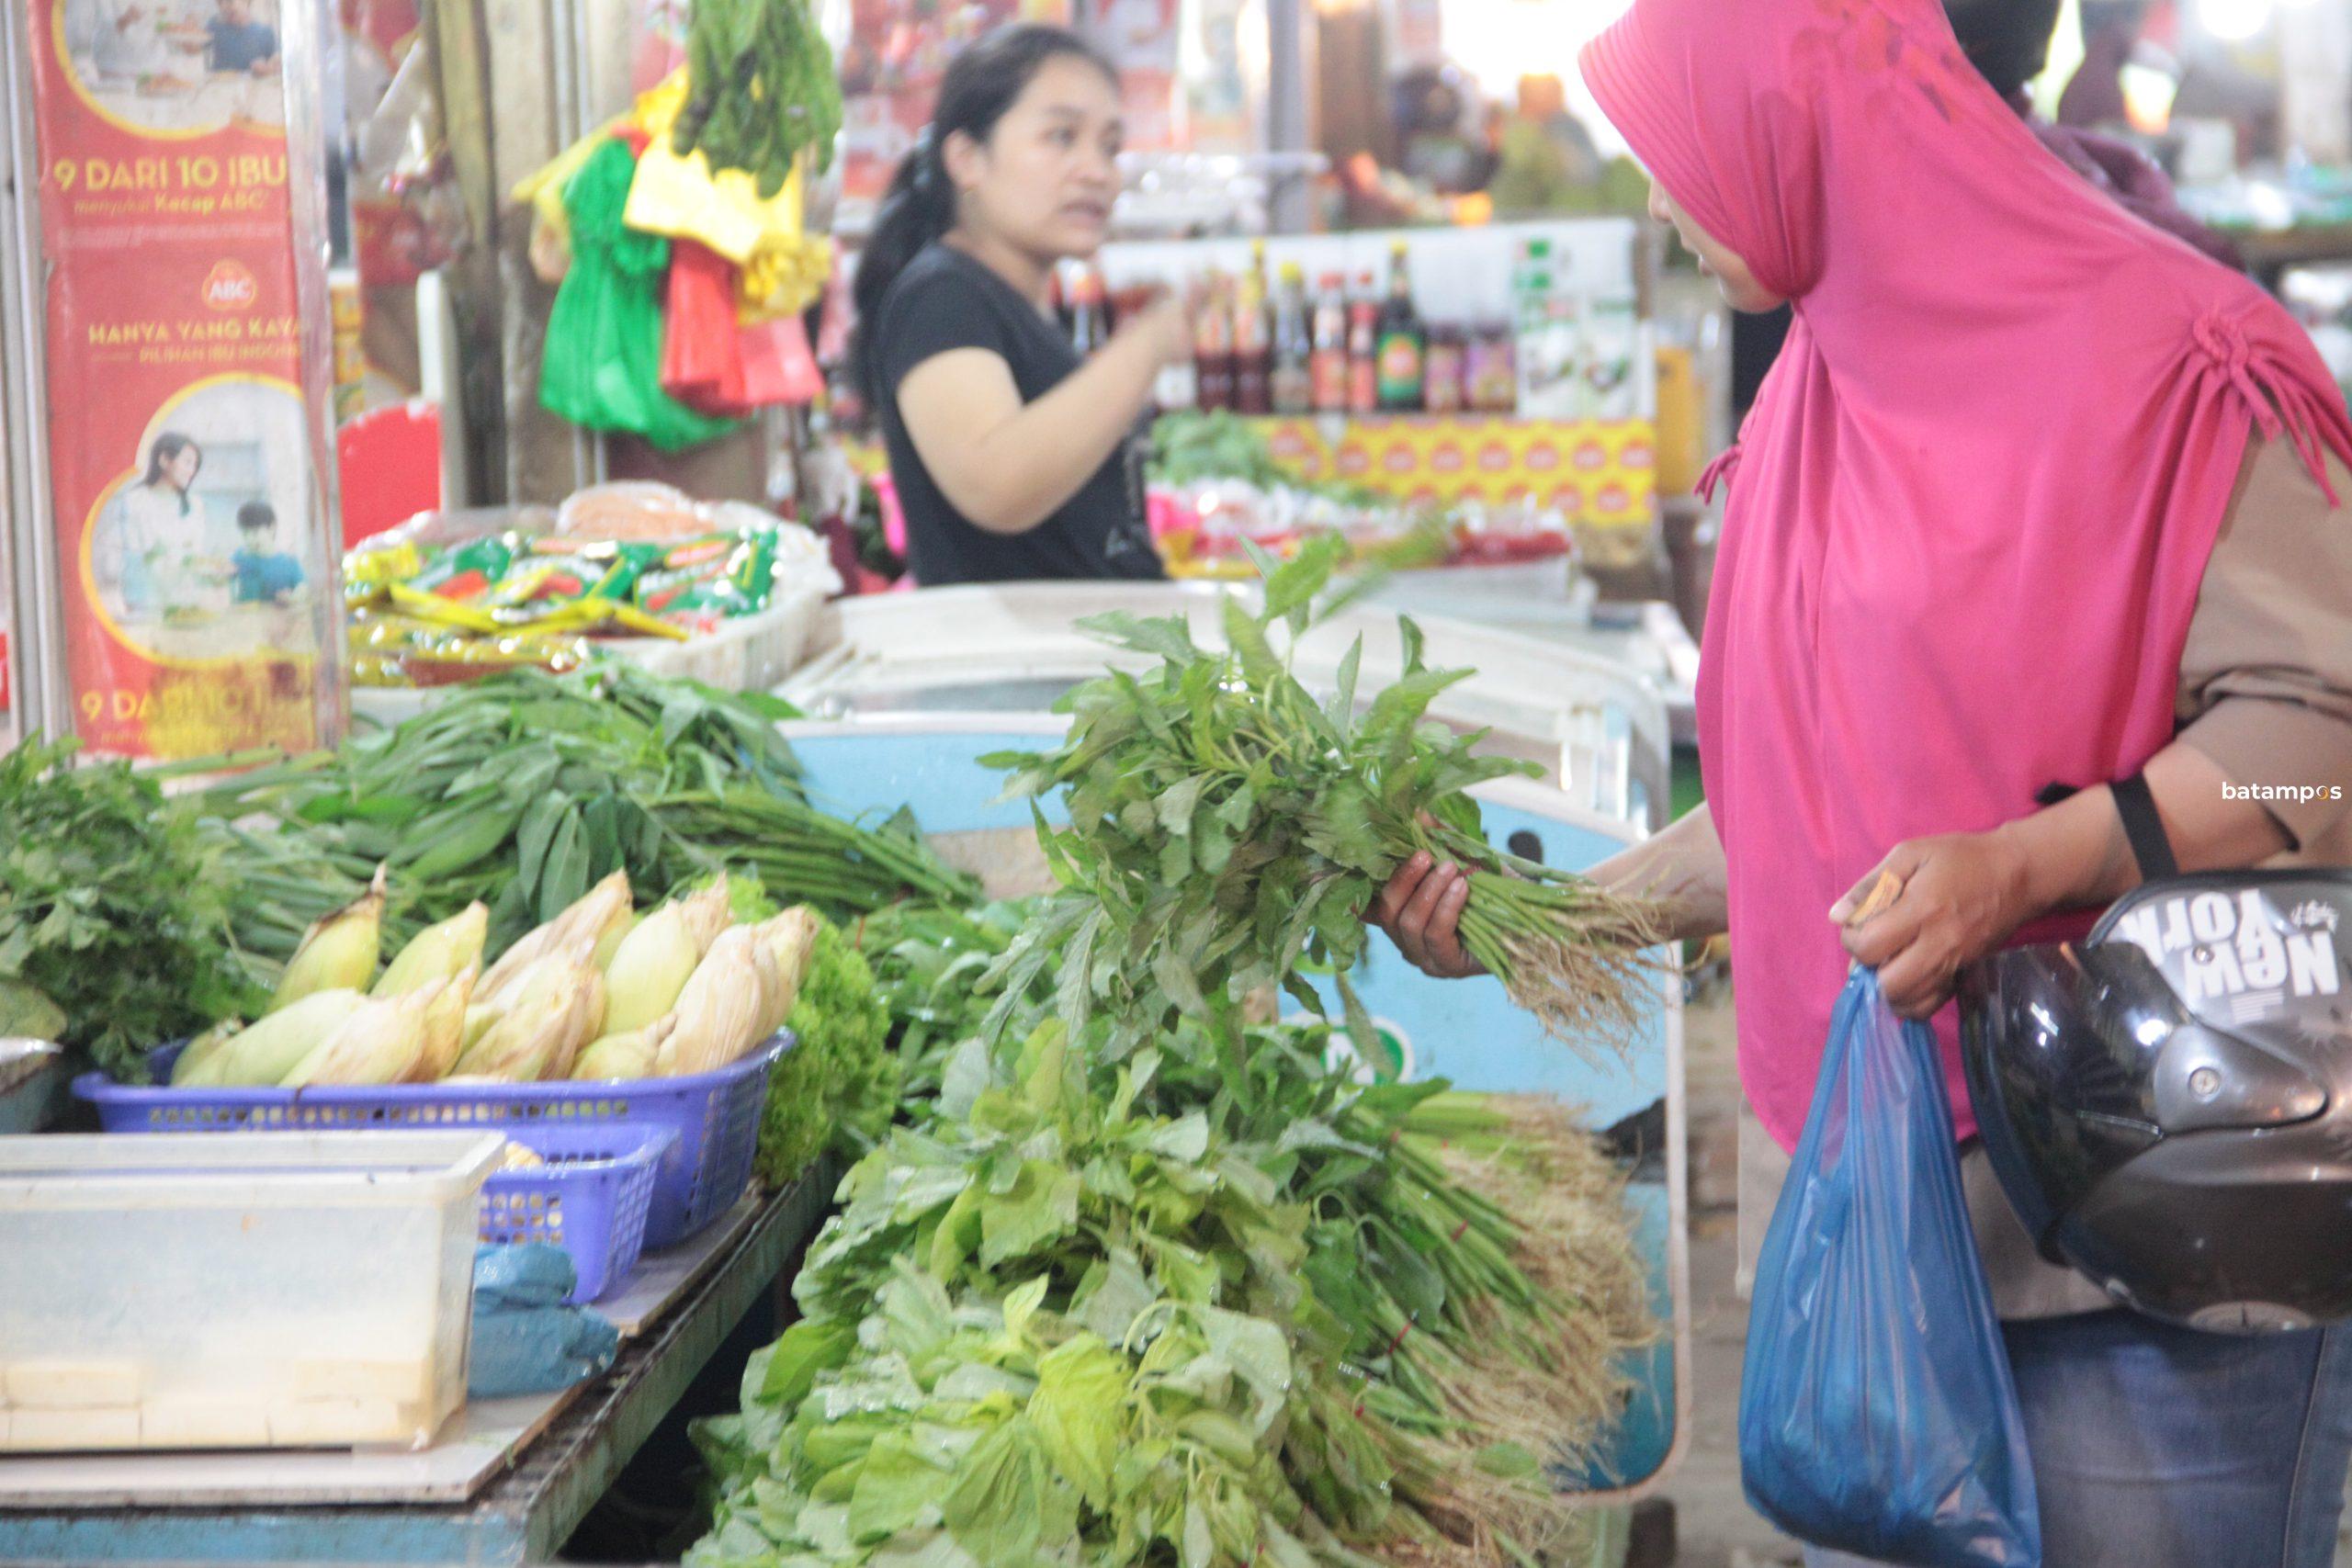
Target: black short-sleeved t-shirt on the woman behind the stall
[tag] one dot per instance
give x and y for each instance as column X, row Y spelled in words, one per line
column 944, row 300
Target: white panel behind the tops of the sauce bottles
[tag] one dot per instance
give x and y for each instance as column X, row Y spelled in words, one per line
column 1459, row 274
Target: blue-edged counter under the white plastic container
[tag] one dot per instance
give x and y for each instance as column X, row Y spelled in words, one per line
column 507, row 1482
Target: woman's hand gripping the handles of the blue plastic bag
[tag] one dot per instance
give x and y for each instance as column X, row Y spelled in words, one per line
column 1963, row 897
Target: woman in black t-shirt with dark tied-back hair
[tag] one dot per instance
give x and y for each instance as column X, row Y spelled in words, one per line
column 1010, row 455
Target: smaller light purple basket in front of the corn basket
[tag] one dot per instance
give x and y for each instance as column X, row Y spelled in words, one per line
column 589, row 1198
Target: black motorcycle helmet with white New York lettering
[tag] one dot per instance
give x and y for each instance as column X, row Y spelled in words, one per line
column 2170, row 1101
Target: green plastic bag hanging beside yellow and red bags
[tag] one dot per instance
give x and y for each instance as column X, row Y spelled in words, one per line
column 603, row 359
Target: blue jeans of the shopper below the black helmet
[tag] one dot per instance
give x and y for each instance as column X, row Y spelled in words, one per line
column 2172, row 1449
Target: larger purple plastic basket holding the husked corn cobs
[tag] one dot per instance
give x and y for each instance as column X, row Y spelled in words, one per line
column 716, row 1118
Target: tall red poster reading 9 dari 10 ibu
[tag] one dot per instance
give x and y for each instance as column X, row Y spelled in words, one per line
column 182, row 460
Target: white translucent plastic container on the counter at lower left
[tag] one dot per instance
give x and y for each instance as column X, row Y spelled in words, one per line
column 265, row 1292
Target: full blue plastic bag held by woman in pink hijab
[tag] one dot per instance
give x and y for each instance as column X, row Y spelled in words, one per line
column 1878, row 1414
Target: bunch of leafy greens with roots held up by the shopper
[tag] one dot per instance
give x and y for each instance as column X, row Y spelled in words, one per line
column 1227, row 829
